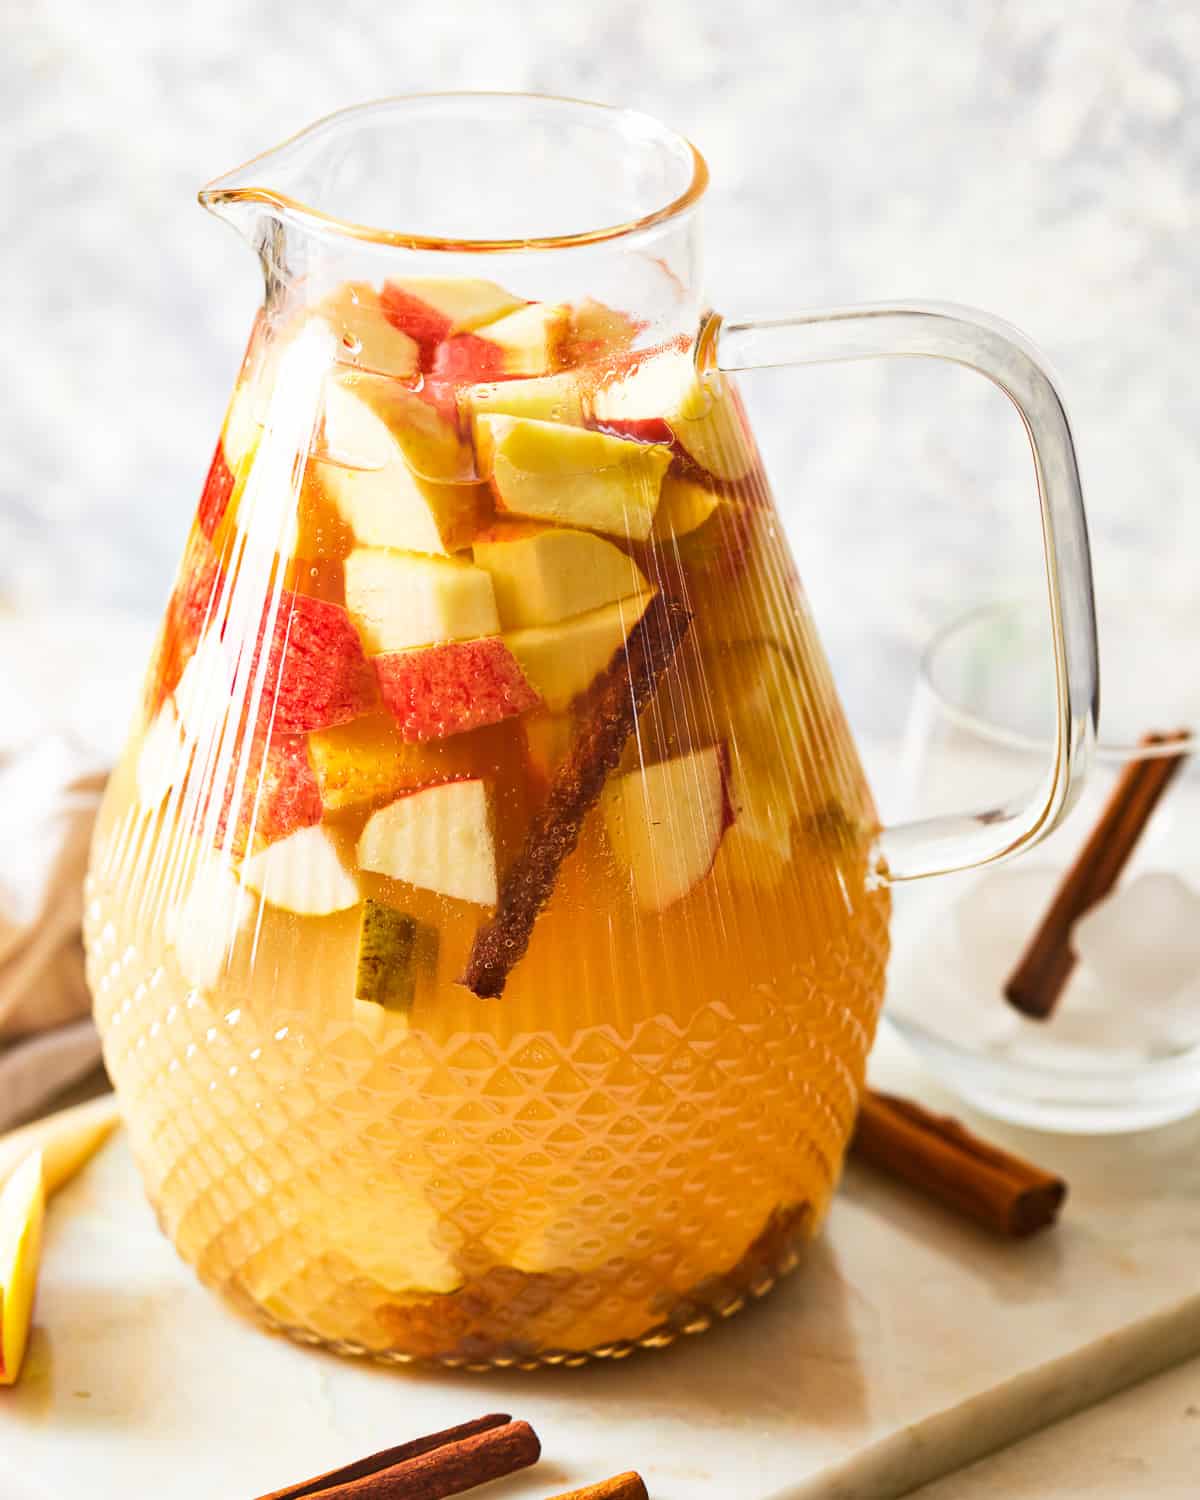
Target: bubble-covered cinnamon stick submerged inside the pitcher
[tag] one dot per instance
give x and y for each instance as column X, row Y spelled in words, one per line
column 613, row 707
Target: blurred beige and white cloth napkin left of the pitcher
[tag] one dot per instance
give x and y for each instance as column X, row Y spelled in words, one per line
column 50, row 791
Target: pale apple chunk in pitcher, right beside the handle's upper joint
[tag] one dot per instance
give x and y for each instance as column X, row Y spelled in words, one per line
column 662, row 397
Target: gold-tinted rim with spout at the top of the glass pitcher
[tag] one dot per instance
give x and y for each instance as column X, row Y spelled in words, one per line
column 223, row 191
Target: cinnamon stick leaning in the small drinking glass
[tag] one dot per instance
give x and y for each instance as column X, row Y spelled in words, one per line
column 1046, row 965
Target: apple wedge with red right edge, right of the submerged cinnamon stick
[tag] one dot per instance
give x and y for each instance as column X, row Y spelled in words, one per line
column 667, row 821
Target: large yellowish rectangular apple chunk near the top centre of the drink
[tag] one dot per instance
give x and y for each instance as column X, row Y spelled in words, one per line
column 571, row 476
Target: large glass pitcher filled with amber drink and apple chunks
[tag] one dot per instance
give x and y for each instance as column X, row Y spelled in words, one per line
column 488, row 919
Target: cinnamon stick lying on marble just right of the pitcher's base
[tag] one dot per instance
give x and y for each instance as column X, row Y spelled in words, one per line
column 943, row 1159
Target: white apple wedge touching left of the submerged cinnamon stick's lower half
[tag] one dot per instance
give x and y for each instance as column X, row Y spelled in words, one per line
column 439, row 839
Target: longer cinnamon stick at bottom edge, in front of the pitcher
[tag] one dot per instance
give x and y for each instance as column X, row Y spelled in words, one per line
column 430, row 1468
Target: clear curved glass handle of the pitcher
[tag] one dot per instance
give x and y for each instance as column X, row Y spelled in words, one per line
column 1003, row 355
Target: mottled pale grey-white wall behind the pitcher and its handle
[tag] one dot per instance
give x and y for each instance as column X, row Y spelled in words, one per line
column 1040, row 160
